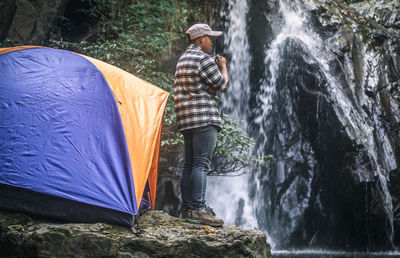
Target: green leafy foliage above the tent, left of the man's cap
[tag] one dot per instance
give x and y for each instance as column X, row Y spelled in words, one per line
column 133, row 34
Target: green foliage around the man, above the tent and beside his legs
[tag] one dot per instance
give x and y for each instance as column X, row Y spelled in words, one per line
column 133, row 35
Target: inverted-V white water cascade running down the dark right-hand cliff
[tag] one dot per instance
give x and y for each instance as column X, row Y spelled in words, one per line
column 294, row 26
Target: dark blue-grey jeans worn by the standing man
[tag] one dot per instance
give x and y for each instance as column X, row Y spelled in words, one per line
column 199, row 146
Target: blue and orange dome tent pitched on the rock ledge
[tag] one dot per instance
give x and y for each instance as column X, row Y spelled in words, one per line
column 79, row 138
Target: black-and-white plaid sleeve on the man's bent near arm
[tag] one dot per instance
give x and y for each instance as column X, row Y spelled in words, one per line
column 210, row 73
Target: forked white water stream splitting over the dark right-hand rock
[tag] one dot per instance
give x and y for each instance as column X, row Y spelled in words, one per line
column 294, row 26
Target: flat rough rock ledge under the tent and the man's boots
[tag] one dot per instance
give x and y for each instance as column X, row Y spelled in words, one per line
column 162, row 236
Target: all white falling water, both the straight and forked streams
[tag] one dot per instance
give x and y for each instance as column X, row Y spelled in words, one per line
column 230, row 195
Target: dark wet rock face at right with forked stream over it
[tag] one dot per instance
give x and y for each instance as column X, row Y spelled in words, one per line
column 327, row 107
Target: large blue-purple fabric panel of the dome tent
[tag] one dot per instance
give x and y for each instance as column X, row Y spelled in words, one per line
column 60, row 130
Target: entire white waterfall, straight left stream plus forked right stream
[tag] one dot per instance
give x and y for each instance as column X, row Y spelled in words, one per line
column 239, row 200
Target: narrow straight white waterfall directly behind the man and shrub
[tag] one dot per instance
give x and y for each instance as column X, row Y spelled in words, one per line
column 229, row 195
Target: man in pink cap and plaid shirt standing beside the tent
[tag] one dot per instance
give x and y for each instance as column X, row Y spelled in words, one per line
column 197, row 79
